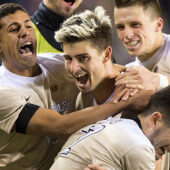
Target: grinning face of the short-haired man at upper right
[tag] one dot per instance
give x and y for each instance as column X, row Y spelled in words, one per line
column 138, row 31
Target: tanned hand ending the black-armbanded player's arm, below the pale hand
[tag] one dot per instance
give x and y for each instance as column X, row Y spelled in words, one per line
column 140, row 100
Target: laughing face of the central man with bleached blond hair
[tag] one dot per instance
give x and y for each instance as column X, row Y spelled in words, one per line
column 85, row 63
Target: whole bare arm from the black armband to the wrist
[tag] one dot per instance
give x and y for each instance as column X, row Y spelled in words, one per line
column 48, row 122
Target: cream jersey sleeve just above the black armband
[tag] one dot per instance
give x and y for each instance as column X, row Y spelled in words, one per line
column 12, row 102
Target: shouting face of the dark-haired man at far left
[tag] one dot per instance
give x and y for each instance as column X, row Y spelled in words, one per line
column 17, row 42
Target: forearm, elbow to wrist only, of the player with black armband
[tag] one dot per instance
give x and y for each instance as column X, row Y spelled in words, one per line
column 82, row 118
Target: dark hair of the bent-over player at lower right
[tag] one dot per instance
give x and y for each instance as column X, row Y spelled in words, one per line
column 160, row 102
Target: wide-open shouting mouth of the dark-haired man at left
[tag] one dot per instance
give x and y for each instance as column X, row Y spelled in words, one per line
column 26, row 49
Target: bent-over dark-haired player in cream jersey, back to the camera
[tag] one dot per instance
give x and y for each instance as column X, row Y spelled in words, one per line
column 131, row 144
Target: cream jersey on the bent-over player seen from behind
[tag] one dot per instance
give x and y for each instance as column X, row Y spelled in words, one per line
column 118, row 144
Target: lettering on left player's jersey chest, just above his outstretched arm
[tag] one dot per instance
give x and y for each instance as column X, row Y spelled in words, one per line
column 62, row 107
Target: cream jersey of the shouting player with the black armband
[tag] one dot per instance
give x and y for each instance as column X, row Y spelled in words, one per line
column 53, row 89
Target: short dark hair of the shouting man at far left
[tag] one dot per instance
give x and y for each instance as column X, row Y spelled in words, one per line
column 10, row 8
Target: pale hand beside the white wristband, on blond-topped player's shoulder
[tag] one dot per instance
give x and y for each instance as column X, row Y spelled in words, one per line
column 138, row 77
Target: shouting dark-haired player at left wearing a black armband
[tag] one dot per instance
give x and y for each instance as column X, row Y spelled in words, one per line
column 34, row 93
